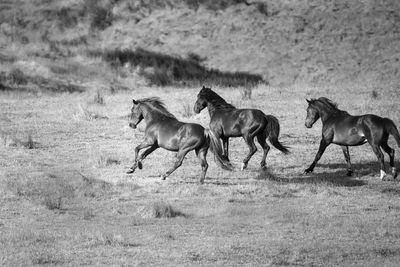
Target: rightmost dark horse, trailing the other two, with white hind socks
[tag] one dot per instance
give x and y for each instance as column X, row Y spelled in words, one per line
column 340, row 128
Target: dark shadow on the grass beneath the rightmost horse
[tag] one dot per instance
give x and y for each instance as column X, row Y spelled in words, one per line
column 336, row 178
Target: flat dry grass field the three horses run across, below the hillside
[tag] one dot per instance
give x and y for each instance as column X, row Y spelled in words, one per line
column 66, row 200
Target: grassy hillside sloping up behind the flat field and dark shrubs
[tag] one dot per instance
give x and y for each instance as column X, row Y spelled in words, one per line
column 285, row 42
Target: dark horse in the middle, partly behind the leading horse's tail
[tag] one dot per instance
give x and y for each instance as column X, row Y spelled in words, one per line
column 227, row 121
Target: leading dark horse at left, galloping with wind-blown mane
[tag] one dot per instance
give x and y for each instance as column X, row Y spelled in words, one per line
column 164, row 130
